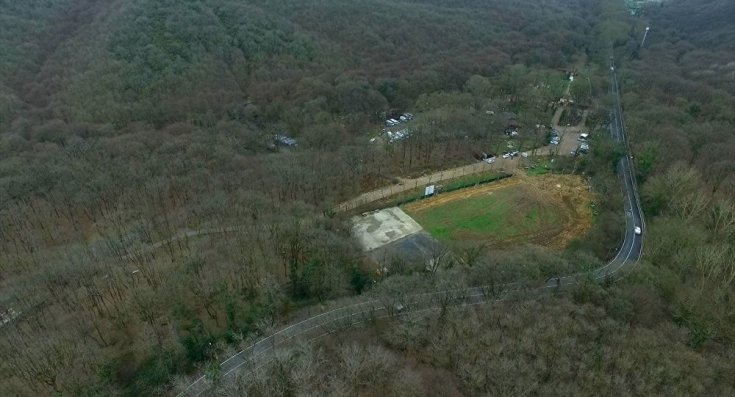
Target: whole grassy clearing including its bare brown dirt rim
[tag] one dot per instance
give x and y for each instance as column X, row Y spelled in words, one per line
column 548, row 210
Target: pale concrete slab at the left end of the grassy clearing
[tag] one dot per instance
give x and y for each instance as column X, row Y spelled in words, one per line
column 376, row 229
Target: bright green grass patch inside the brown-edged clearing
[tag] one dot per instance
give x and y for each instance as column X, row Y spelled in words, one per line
column 495, row 216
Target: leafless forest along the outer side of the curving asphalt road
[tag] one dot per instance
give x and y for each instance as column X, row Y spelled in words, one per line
column 666, row 328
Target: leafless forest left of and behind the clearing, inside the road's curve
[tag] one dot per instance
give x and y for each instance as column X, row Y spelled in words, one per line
column 126, row 123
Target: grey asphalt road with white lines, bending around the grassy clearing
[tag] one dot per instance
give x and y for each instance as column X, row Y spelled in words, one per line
column 627, row 256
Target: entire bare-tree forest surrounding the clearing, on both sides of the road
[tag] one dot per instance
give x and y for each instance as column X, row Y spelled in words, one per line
column 149, row 225
